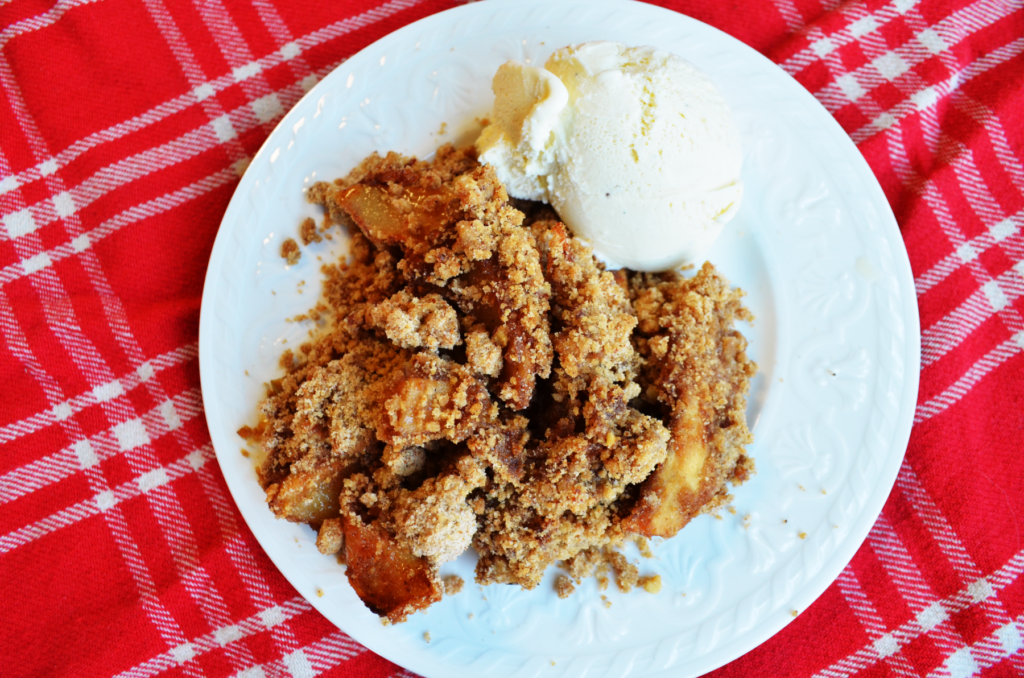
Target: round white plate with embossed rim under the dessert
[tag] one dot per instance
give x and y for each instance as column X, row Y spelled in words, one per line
column 837, row 337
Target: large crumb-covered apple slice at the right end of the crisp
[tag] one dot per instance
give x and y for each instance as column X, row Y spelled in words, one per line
column 697, row 367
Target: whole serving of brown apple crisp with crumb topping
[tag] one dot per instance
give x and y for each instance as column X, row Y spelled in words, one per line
column 484, row 382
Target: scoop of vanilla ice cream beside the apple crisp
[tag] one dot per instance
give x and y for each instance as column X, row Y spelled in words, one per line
column 633, row 147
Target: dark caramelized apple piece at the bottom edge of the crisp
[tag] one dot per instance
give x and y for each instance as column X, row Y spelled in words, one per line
column 385, row 574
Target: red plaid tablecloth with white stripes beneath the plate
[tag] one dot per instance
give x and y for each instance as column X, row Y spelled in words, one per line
column 124, row 125
